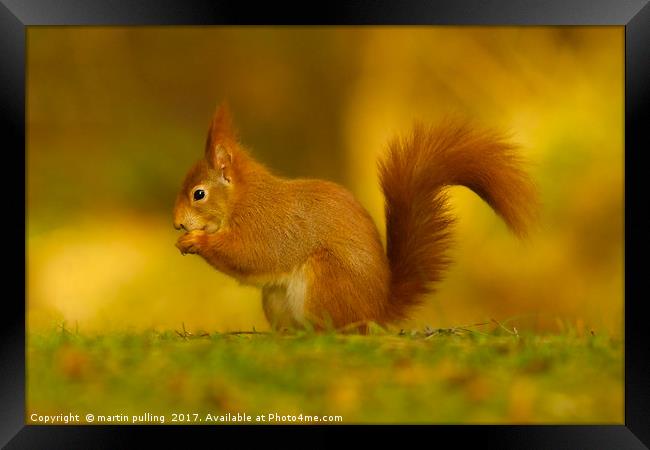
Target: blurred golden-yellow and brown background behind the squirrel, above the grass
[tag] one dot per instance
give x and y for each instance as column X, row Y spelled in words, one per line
column 115, row 117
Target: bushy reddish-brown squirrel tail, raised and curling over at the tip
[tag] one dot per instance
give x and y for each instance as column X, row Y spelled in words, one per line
column 414, row 174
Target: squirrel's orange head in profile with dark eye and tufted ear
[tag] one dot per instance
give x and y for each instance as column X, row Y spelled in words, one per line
column 207, row 191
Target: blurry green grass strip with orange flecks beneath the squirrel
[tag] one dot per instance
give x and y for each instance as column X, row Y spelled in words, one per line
column 435, row 376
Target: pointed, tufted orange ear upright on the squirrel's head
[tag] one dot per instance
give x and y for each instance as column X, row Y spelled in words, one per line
column 222, row 140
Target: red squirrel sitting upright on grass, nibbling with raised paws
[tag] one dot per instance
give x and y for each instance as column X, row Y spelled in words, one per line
column 315, row 251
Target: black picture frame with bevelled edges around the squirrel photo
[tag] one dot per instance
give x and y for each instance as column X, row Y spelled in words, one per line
column 634, row 15
